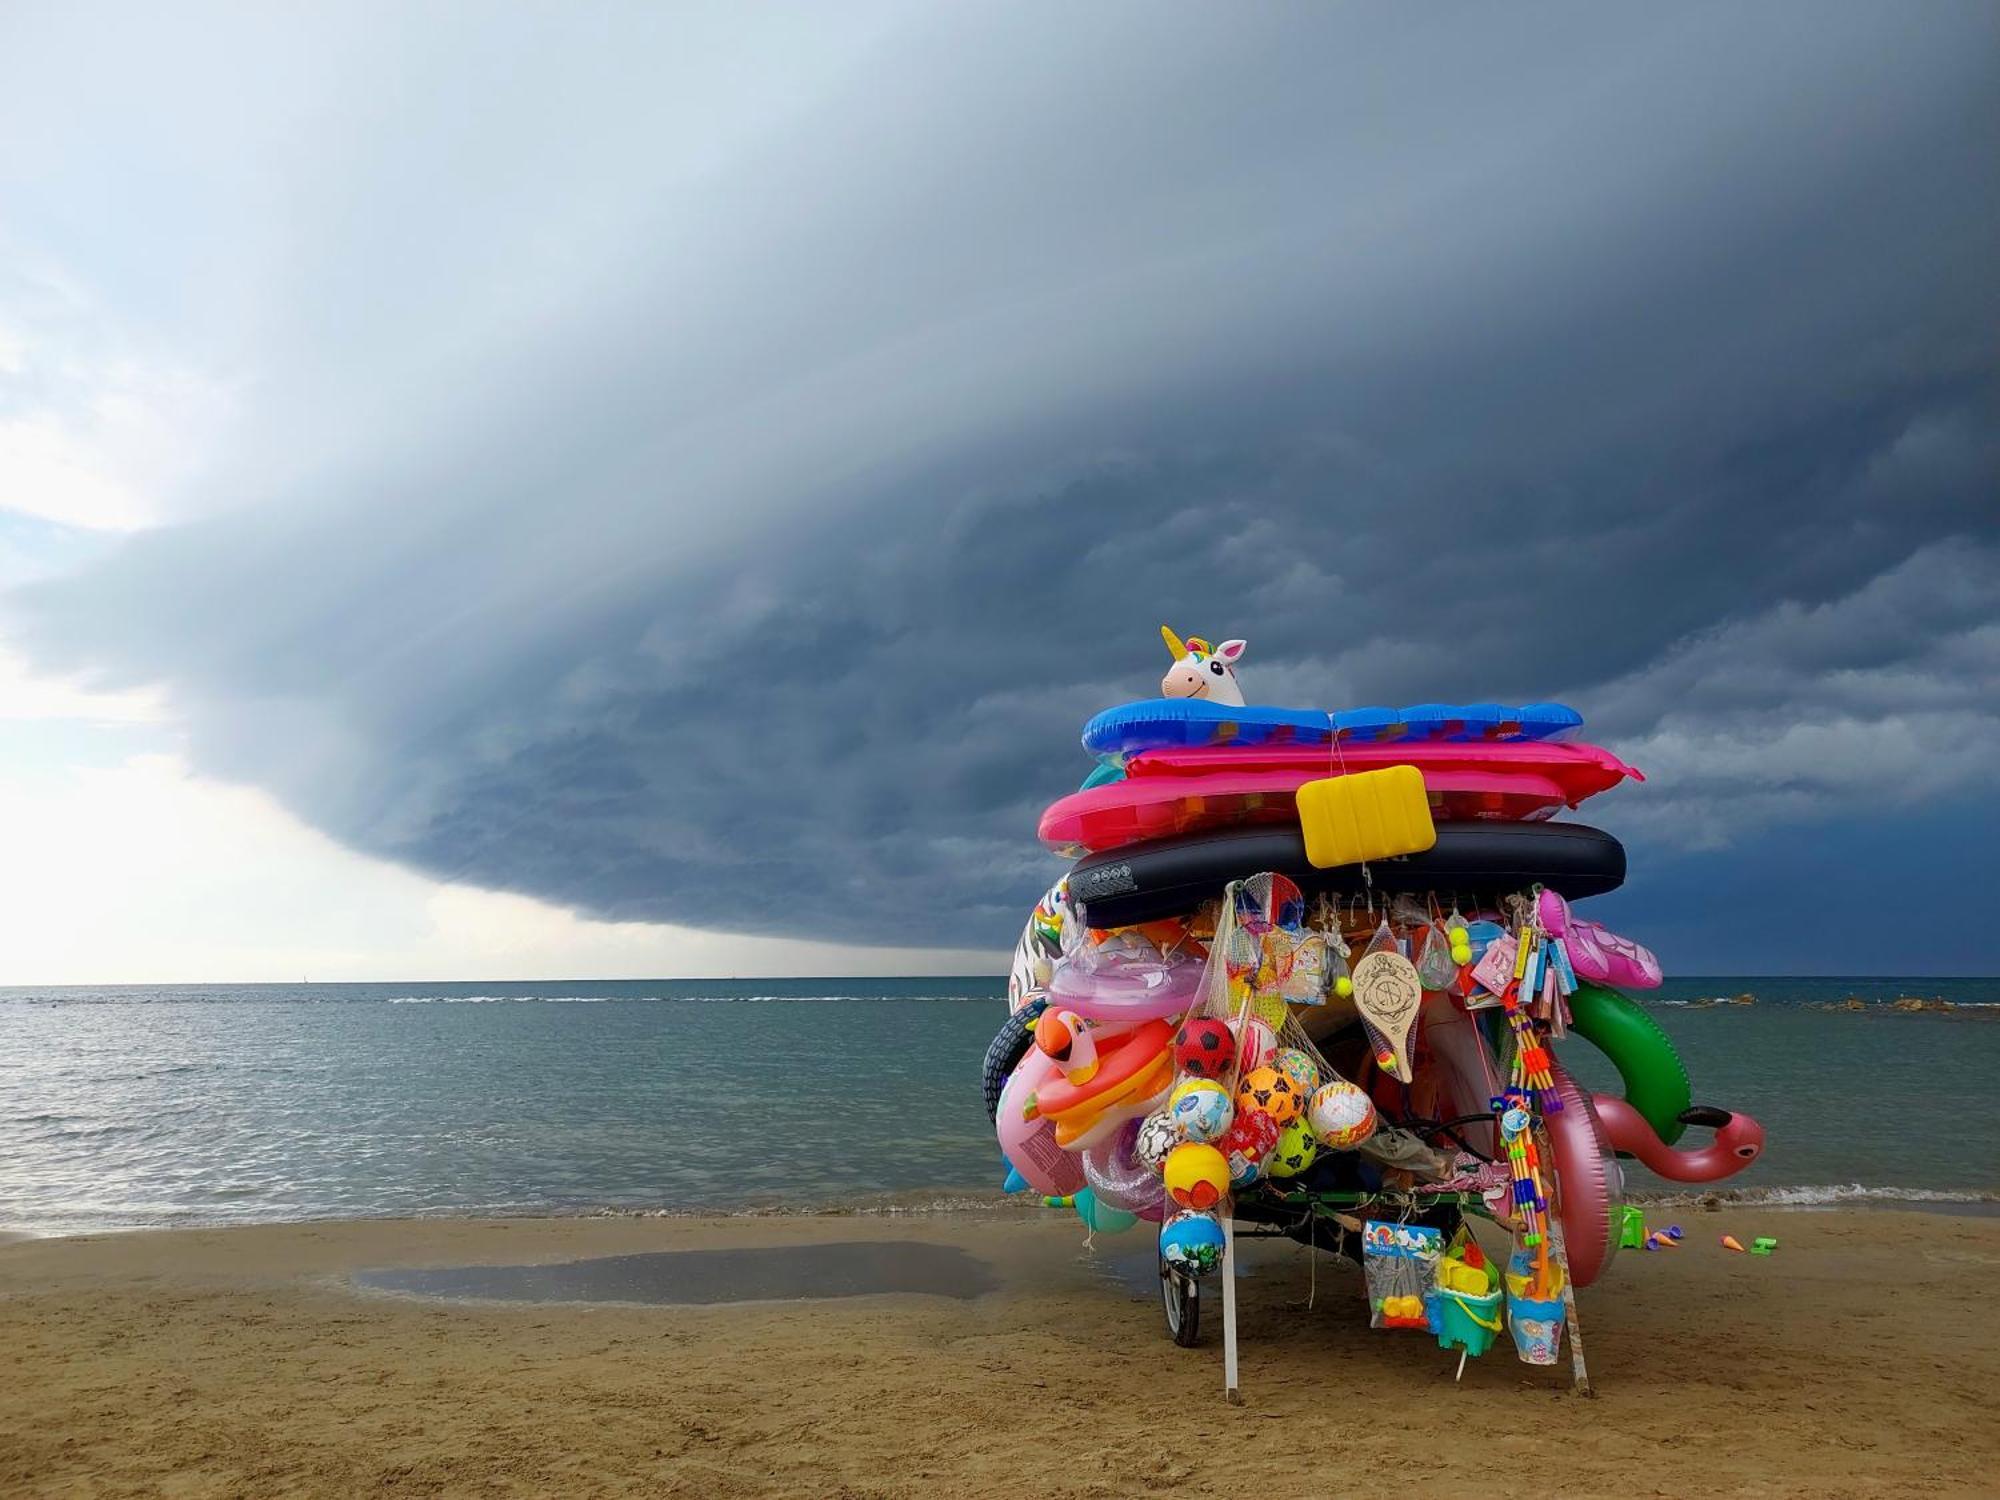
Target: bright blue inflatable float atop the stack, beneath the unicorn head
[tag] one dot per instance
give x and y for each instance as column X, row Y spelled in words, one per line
column 1175, row 723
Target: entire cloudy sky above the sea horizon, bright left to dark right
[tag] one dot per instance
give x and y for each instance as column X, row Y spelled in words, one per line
column 577, row 491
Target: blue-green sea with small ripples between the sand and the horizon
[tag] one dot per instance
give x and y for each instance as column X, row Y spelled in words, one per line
column 143, row 1107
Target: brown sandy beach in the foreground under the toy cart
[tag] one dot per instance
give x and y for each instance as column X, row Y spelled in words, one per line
column 1859, row 1361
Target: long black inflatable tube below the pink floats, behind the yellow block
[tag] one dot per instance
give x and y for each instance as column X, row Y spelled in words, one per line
column 1169, row 877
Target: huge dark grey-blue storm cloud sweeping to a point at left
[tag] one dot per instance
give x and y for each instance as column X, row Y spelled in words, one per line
column 763, row 575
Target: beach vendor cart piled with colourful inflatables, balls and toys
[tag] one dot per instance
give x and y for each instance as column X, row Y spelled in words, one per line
column 1309, row 977
